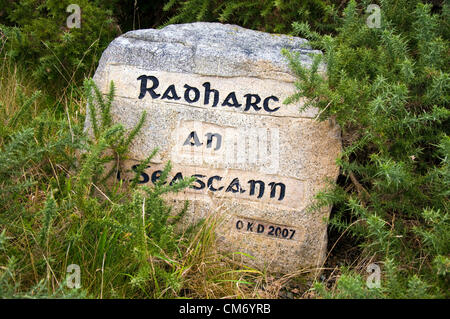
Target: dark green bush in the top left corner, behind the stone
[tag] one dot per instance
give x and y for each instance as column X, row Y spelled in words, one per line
column 39, row 39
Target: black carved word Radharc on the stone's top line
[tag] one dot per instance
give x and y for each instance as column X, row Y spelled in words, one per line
column 192, row 95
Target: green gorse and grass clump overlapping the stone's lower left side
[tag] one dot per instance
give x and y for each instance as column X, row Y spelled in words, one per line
column 87, row 219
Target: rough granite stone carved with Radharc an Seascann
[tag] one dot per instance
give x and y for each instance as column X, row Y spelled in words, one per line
column 271, row 159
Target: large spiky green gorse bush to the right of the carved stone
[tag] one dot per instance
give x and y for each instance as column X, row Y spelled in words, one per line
column 388, row 88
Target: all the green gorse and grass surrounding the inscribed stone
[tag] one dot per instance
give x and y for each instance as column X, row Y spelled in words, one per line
column 387, row 87
